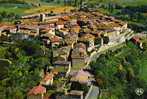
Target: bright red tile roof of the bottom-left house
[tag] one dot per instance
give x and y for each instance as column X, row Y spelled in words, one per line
column 37, row 90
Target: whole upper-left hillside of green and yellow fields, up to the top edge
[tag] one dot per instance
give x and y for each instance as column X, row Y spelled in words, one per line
column 21, row 7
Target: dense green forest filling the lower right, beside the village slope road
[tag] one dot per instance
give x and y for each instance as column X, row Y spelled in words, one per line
column 120, row 72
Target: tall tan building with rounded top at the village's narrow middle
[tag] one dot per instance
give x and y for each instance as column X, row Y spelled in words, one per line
column 79, row 56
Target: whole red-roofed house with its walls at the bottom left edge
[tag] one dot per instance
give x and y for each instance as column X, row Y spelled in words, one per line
column 36, row 92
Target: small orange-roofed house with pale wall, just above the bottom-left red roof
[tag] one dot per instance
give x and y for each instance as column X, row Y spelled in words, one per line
column 47, row 79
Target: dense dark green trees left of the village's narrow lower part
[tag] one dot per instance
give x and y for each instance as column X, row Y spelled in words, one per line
column 24, row 72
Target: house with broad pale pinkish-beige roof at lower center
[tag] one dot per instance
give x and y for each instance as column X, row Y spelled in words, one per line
column 83, row 77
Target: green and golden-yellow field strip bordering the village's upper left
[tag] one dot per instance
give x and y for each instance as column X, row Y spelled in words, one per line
column 22, row 9
